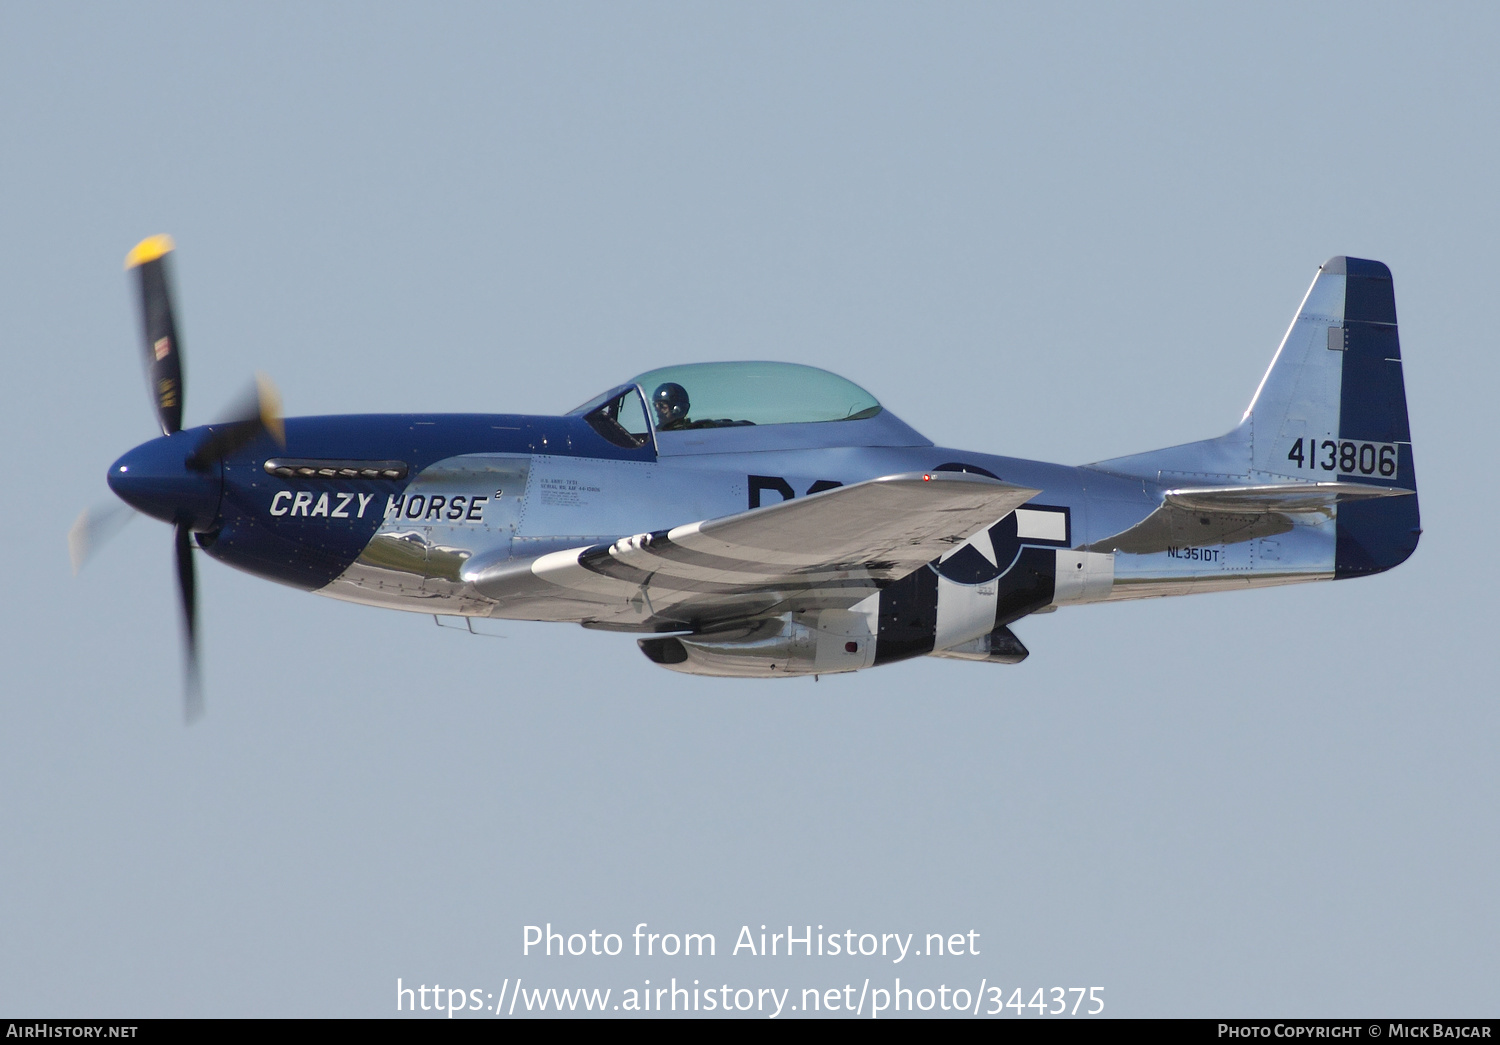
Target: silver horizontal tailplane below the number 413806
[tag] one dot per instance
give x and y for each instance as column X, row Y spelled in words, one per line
column 1228, row 515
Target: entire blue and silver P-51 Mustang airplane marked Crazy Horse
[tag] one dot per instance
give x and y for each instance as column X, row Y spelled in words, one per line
column 770, row 520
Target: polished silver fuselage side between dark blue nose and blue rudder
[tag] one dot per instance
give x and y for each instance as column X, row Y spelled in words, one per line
column 538, row 505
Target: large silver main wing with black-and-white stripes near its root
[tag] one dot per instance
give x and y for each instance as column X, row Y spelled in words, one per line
column 826, row 551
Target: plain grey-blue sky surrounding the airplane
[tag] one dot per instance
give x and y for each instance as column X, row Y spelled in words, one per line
column 1058, row 233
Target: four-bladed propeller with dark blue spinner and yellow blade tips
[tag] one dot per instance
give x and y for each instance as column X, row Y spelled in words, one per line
column 176, row 481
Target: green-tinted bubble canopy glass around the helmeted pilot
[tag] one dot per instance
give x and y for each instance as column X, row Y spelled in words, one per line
column 727, row 395
